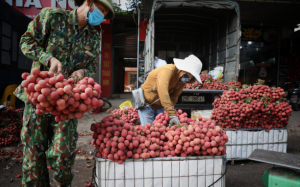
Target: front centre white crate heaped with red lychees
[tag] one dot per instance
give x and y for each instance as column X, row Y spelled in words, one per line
column 191, row 153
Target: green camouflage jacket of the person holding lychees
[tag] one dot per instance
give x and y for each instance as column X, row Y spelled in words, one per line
column 55, row 33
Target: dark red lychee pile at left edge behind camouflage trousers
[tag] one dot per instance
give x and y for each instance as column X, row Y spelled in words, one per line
column 10, row 126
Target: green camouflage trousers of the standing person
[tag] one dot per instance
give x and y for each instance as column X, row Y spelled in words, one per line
column 45, row 139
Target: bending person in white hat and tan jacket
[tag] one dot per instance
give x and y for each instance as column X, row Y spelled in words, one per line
column 164, row 85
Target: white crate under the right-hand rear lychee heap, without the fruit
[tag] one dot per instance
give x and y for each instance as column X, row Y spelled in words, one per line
column 242, row 142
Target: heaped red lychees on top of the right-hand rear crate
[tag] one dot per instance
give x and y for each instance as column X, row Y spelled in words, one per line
column 257, row 106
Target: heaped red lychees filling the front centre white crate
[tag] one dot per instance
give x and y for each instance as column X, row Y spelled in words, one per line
column 117, row 140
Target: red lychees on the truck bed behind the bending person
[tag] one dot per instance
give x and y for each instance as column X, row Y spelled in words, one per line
column 213, row 84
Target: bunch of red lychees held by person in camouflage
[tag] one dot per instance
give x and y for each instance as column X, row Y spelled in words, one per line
column 63, row 98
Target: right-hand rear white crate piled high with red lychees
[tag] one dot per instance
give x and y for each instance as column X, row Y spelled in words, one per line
column 254, row 117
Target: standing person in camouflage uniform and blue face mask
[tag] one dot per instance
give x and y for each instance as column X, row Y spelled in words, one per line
column 63, row 41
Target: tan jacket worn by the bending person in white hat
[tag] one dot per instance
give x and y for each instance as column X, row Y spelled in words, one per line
column 158, row 84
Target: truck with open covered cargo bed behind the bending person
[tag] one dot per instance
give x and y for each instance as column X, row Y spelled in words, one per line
column 210, row 30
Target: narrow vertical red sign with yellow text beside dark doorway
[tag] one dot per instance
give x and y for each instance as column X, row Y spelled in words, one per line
column 106, row 64
